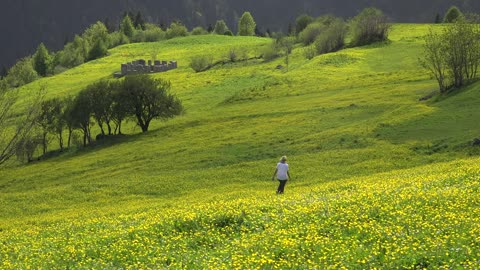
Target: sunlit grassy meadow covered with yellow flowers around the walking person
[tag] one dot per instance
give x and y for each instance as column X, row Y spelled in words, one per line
column 380, row 179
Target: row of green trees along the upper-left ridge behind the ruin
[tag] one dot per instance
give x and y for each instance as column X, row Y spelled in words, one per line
column 99, row 37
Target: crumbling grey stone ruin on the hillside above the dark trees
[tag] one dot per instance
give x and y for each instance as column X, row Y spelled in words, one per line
column 141, row 67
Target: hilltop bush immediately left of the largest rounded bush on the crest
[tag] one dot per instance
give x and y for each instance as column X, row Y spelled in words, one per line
column 332, row 38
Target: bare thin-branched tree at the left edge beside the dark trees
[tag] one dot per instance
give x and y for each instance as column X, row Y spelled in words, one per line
column 14, row 129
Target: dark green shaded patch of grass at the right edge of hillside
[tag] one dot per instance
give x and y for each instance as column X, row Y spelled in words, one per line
column 452, row 126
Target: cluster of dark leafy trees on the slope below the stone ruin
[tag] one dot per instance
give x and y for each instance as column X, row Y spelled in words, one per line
column 106, row 104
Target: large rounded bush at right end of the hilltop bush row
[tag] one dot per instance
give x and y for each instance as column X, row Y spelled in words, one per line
column 369, row 26
